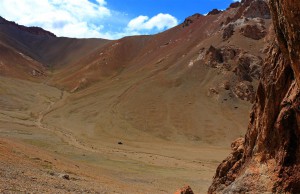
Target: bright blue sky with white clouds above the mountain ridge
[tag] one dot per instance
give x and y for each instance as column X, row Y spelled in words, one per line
column 110, row 19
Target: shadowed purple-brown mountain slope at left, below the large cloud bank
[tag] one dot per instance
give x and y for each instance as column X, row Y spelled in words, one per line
column 30, row 52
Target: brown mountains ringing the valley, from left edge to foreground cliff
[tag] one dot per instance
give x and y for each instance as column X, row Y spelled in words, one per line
column 206, row 65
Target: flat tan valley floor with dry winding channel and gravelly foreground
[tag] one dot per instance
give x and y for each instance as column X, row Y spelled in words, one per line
column 41, row 156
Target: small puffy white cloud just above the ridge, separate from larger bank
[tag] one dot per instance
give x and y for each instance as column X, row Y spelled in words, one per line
column 160, row 22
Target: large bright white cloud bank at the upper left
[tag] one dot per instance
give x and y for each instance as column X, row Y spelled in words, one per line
column 62, row 17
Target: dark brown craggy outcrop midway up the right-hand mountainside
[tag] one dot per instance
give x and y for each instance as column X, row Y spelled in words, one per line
column 245, row 69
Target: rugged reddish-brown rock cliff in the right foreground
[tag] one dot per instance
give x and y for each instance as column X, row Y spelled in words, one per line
column 269, row 158
